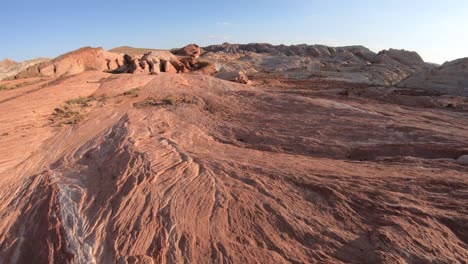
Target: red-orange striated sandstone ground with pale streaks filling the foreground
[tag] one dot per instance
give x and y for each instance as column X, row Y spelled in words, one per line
column 192, row 169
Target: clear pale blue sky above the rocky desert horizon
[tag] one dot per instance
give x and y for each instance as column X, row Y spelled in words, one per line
column 436, row 29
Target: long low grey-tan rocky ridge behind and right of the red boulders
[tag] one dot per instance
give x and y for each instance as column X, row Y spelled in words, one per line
column 350, row 63
